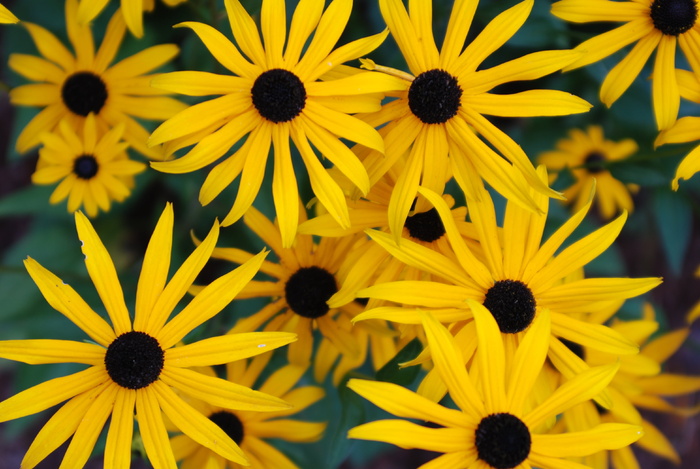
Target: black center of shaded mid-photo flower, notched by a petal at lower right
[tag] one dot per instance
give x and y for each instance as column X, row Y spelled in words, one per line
column 308, row 290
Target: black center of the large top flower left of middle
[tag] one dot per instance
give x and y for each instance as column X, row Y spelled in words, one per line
column 278, row 95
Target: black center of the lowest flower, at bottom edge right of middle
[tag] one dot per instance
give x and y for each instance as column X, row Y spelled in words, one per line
column 502, row 441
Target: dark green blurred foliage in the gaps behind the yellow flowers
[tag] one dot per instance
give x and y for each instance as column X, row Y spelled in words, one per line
column 661, row 237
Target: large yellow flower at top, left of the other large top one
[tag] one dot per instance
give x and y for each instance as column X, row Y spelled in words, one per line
column 275, row 94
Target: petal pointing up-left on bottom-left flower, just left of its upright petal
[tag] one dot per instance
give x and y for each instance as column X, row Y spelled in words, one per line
column 103, row 274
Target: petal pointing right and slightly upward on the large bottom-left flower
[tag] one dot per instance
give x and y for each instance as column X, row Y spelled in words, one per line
column 227, row 348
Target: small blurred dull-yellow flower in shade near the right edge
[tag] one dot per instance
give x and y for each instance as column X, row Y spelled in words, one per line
column 587, row 154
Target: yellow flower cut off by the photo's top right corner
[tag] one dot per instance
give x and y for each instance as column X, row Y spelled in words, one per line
column 654, row 25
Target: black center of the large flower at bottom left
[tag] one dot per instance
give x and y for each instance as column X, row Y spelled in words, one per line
column 134, row 360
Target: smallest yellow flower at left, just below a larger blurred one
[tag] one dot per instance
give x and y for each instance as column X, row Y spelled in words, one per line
column 92, row 169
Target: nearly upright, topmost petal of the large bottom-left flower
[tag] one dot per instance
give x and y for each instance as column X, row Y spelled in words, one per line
column 154, row 271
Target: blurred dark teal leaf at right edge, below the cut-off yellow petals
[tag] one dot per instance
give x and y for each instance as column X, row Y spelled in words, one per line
column 674, row 218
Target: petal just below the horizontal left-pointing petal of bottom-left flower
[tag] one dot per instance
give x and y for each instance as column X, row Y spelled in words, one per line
column 52, row 392
